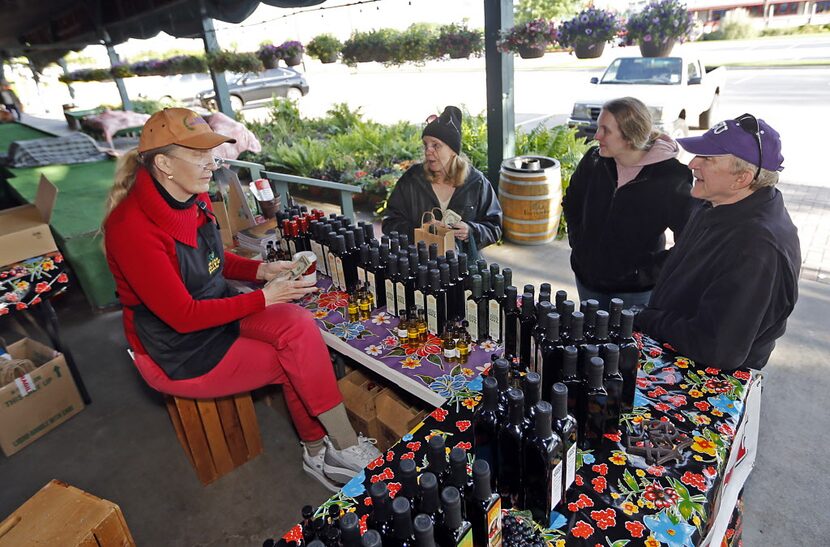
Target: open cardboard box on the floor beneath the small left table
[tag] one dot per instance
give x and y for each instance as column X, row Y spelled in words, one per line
column 38, row 402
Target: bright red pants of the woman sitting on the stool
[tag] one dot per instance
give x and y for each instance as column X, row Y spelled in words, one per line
column 279, row 345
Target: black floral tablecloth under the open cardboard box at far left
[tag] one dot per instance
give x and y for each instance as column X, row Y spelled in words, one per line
column 26, row 283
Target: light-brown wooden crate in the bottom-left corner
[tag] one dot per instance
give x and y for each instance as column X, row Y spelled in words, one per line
column 60, row 514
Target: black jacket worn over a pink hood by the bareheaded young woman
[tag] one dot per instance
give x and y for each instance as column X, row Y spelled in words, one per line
column 617, row 236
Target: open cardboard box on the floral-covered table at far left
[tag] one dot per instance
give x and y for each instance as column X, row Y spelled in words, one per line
column 24, row 230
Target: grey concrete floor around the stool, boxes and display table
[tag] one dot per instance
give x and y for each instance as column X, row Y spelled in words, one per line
column 122, row 447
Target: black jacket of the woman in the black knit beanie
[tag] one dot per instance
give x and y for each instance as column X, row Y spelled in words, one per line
column 475, row 201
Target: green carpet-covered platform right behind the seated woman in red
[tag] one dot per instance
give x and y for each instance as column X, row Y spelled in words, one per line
column 82, row 191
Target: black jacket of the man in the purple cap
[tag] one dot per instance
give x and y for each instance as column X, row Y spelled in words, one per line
column 730, row 283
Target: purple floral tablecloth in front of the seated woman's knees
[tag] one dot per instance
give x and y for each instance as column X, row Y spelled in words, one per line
column 375, row 337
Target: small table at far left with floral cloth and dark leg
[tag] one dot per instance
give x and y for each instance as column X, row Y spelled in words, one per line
column 29, row 285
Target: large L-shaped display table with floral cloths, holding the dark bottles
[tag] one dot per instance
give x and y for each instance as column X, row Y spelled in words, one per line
column 618, row 497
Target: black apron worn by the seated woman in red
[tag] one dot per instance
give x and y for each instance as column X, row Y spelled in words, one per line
column 192, row 354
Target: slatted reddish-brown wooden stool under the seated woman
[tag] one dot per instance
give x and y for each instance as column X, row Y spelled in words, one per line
column 218, row 435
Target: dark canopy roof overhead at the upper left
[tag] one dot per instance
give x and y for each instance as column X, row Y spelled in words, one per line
column 45, row 30
